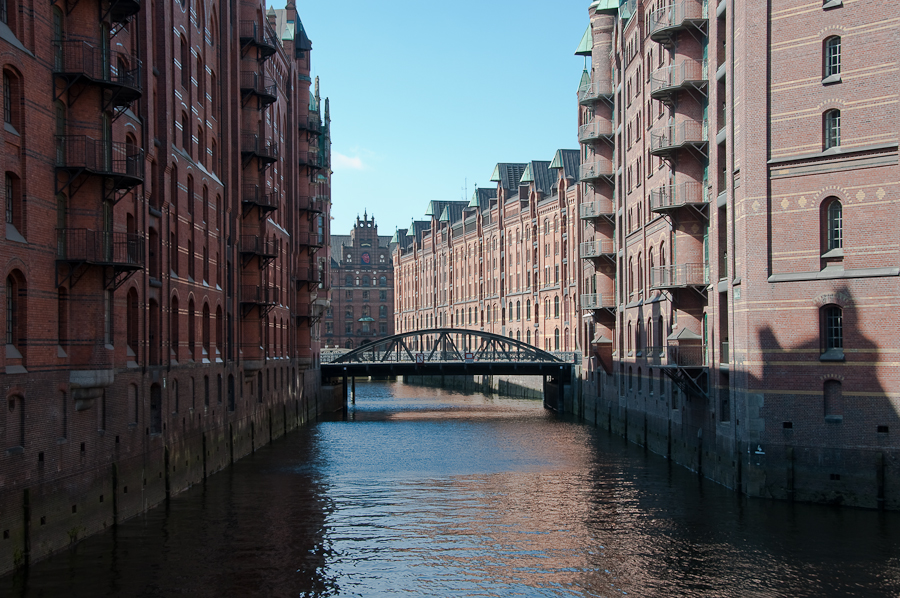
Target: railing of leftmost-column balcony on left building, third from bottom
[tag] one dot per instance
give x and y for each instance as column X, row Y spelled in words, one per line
column 97, row 64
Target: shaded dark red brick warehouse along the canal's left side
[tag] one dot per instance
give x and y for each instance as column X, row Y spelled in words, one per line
column 165, row 252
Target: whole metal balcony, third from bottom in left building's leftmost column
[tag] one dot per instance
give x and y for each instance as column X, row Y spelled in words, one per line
column 80, row 63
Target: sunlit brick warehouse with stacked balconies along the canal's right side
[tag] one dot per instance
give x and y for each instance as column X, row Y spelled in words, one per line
column 740, row 169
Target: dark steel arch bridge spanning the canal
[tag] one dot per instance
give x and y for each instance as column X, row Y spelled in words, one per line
column 448, row 352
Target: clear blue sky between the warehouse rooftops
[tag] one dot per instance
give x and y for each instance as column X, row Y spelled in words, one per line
column 426, row 97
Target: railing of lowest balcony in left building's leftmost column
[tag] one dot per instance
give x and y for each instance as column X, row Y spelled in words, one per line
column 100, row 247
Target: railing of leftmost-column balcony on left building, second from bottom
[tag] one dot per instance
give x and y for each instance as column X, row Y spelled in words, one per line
column 113, row 158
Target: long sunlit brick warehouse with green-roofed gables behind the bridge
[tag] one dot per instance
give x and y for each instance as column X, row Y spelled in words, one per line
column 506, row 262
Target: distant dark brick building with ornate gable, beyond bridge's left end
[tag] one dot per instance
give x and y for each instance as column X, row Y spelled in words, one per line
column 362, row 285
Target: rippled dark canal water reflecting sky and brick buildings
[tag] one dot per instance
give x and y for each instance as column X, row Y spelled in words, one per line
column 432, row 493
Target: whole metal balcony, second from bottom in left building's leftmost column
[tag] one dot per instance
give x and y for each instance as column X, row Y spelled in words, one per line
column 121, row 164
